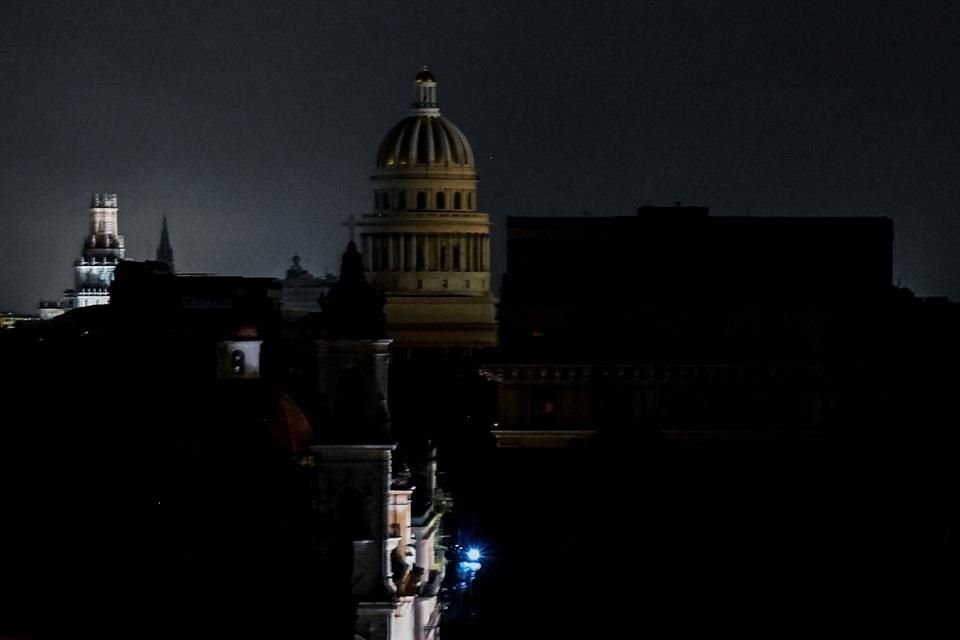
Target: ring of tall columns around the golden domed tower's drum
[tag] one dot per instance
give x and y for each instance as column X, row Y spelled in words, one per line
column 466, row 252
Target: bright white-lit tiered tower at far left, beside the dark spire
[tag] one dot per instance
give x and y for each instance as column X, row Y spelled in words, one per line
column 102, row 250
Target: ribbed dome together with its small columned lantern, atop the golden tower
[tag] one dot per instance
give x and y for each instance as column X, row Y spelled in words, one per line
column 425, row 141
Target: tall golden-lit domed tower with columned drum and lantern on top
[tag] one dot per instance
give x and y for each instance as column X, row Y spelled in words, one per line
column 426, row 245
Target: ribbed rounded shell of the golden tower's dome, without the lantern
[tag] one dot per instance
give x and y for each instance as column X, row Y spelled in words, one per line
column 425, row 142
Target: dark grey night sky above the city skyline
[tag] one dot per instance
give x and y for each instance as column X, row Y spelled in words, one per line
column 254, row 125
